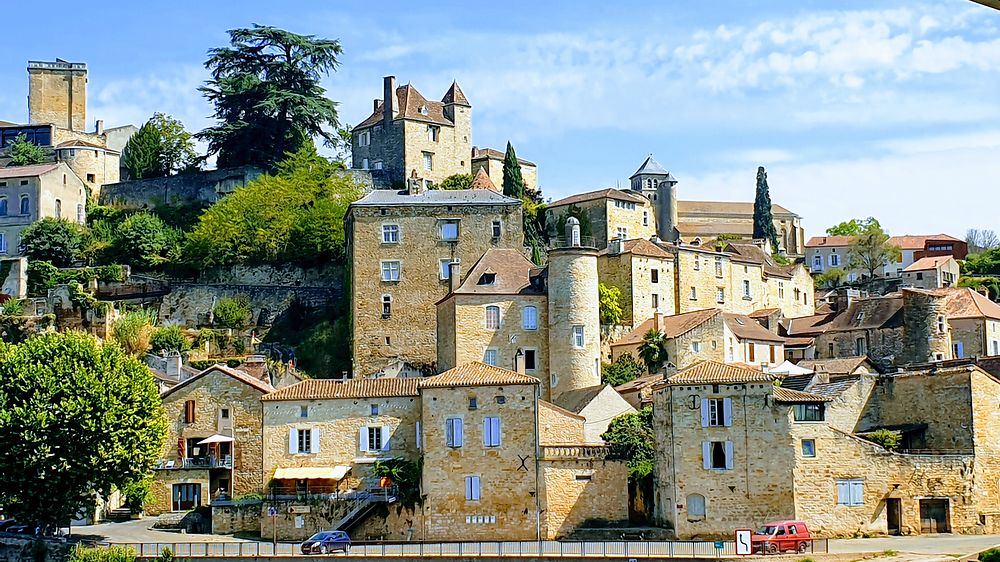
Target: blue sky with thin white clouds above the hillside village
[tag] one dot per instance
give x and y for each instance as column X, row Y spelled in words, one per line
column 885, row 108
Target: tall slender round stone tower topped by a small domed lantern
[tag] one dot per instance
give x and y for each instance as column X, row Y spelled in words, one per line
column 574, row 315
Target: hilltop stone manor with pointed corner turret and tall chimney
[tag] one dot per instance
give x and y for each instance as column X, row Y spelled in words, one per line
column 408, row 135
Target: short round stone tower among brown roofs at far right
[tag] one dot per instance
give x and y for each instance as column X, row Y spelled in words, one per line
column 926, row 332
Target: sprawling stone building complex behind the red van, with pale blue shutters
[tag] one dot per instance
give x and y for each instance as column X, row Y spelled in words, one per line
column 735, row 450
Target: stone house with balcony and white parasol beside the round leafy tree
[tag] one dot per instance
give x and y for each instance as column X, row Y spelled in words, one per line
column 213, row 443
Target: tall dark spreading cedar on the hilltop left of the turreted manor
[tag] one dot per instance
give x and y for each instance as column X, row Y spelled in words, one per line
column 267, row 95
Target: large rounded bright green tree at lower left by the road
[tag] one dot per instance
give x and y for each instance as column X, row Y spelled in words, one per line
column 75, row 418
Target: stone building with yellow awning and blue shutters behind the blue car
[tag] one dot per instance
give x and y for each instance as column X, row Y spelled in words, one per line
column 498, row 463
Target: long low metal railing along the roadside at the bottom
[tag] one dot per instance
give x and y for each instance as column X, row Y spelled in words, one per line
column 497, row 549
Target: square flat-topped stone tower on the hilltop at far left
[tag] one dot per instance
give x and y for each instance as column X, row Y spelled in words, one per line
column 57, row 93
